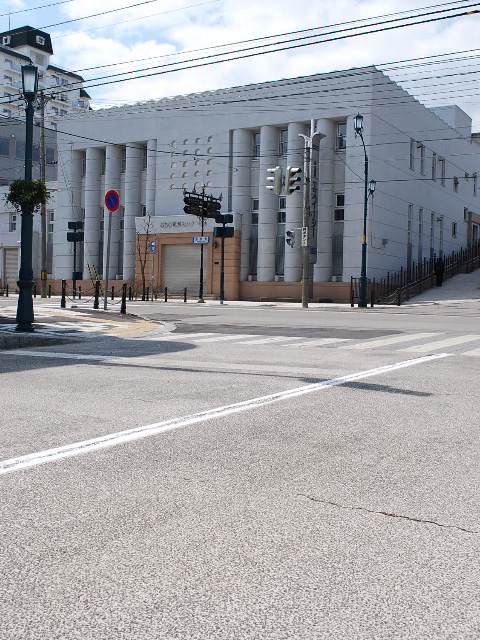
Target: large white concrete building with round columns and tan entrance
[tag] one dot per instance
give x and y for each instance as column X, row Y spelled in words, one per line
column 425, row 163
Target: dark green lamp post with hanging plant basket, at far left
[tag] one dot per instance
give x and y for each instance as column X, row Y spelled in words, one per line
column 25, row 277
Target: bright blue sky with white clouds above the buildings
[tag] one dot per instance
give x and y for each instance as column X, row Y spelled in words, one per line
column 157, row 32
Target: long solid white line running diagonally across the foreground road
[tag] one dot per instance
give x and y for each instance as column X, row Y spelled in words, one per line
column 121, row 437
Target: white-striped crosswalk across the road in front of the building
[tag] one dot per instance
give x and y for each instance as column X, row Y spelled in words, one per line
column 421, row 343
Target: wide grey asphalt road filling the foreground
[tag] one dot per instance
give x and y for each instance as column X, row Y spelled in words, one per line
column 255, row 481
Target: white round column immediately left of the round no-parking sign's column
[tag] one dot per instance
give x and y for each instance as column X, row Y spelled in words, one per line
column 93, row 210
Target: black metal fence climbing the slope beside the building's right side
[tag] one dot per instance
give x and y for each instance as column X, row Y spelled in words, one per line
column 401, row 285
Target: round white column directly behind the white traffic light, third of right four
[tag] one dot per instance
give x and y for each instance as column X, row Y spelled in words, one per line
column 293, row 257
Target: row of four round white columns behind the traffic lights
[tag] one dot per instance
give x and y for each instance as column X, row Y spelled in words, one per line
column 244, row 189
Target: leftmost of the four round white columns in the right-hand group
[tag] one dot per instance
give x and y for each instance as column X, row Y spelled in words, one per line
column 241, row 191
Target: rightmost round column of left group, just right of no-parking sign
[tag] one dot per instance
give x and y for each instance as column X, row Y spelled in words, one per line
column 133, row 208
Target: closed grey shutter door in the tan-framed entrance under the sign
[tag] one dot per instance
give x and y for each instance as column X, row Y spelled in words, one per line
column 181, row 268
